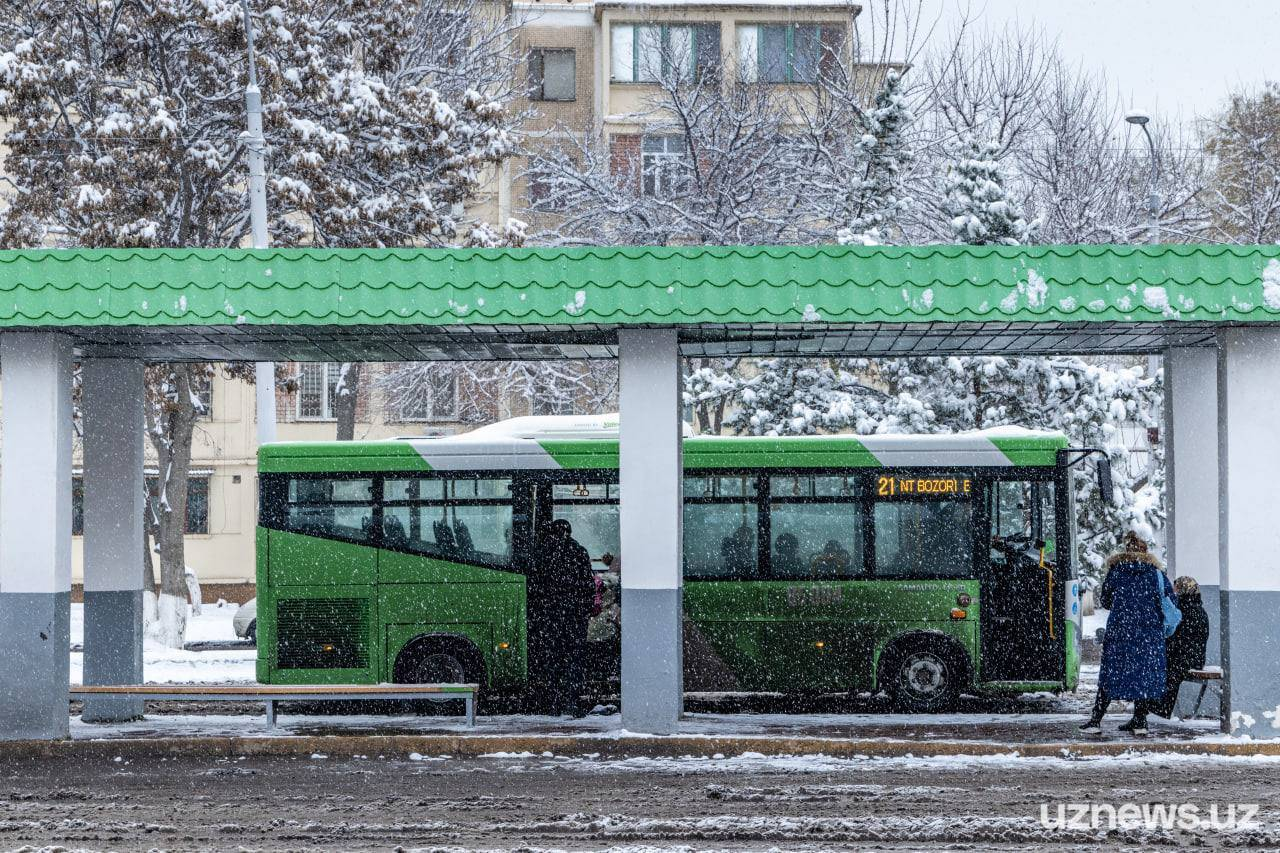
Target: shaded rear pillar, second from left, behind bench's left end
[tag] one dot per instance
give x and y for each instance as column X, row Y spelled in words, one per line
column 115, row 574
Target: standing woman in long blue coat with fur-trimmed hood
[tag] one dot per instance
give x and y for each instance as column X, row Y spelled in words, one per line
column 1133, row 651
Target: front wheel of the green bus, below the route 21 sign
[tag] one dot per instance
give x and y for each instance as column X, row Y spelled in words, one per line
column 924, row 674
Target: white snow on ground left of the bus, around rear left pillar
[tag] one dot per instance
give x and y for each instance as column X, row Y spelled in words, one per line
column 180, row 667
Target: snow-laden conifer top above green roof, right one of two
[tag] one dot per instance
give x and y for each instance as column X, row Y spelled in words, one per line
column 981, row 209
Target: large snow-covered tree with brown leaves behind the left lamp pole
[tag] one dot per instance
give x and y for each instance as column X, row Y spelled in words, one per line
column 124, row 127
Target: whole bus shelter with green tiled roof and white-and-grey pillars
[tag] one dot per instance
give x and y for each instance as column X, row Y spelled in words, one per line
column 1212, row 312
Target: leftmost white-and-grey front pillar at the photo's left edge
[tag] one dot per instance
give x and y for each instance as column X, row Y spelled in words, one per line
column 35, row 536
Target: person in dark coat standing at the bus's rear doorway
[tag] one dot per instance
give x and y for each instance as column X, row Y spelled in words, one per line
column 560, row 600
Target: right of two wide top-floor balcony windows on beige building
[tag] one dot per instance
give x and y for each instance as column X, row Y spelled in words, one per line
column 788, row 53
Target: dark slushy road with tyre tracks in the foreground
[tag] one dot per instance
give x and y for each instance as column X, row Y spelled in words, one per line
column 536, row 804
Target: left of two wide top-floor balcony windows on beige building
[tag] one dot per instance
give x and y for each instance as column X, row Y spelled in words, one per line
column 651, row 53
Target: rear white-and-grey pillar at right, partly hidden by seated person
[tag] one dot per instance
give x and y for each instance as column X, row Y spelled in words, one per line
column 1191, row 468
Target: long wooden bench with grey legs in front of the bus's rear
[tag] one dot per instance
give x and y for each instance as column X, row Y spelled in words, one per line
column 271, row 695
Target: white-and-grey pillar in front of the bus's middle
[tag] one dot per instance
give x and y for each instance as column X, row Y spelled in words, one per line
column 652, row 512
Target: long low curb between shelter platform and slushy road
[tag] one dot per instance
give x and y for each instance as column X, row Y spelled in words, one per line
column 610, row 747
